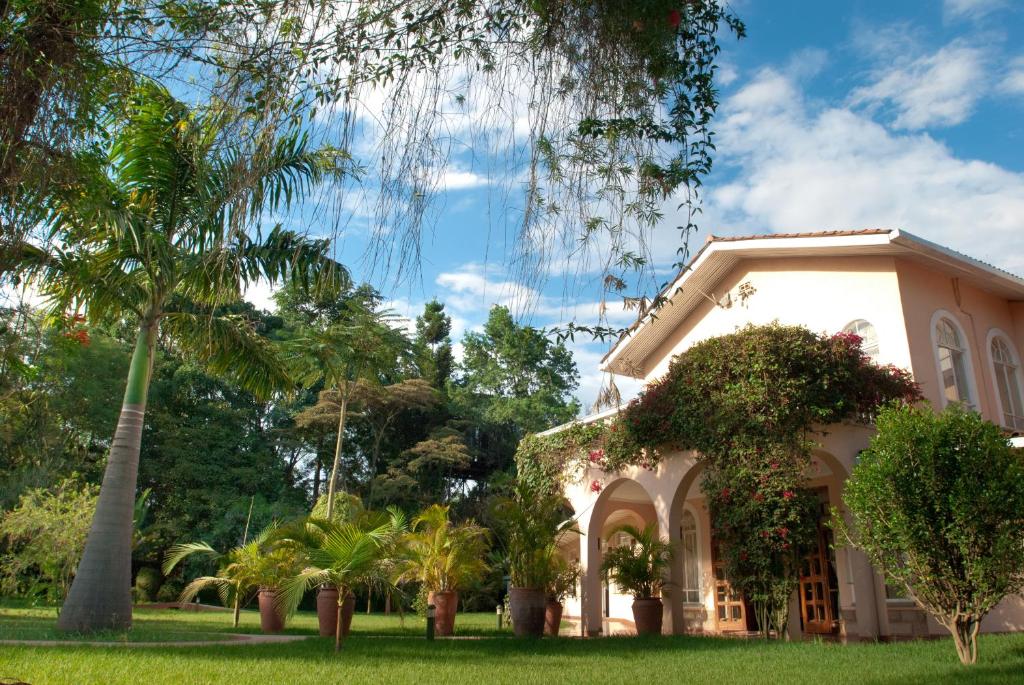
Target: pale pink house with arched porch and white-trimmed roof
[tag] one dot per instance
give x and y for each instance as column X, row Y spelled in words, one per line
column 956, row 323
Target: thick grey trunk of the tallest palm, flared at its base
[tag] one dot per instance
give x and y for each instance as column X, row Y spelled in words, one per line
column 101, row 594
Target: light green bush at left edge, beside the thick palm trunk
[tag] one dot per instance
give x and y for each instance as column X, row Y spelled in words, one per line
column 46, row 535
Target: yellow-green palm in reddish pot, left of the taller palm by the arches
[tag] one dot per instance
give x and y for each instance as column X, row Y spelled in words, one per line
column 445, row 558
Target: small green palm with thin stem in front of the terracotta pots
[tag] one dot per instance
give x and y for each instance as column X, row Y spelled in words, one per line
column 346, row 555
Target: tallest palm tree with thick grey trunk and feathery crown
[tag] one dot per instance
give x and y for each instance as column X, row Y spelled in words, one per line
column 161, row 232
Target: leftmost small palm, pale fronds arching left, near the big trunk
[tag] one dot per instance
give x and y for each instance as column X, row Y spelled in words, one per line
column 263, row 563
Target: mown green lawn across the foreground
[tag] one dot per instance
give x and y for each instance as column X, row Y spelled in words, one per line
column 383, row 652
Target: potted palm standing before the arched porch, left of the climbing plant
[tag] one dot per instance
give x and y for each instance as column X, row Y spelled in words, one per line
column 639, row 570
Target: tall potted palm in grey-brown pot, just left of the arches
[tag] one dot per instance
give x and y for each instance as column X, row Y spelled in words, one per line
column 531, row 523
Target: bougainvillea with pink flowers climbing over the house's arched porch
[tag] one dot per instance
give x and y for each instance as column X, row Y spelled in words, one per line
column 748, row 404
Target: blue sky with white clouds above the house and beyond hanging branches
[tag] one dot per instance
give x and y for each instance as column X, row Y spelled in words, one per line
column 834, row 115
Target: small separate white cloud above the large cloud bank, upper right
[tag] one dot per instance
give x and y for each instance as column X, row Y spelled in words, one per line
column 940, row 90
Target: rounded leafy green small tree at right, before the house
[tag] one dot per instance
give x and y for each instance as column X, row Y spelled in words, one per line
column 937, row 502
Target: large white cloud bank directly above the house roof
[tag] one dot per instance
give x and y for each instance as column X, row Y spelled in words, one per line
column 800, row 168
